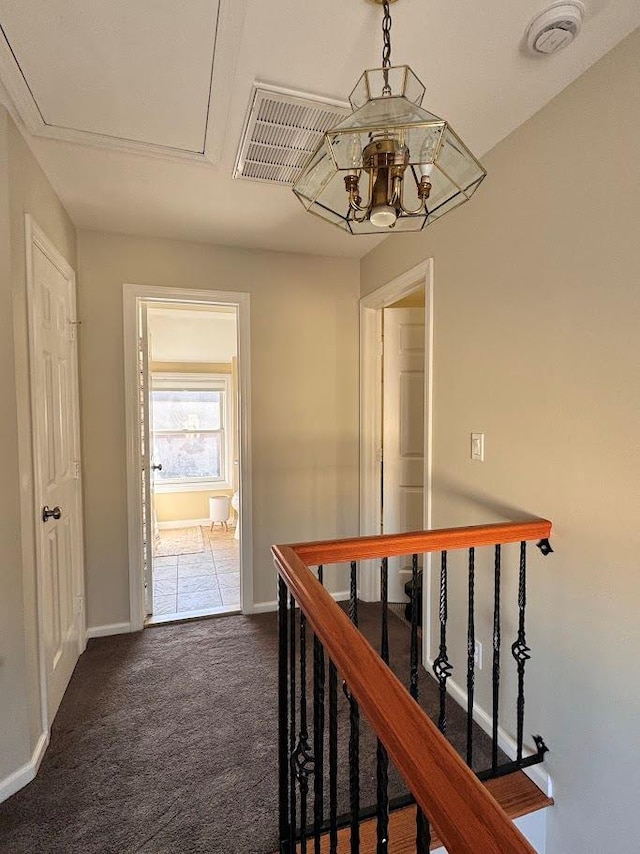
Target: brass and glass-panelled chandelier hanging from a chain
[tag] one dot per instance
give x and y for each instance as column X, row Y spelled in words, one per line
column 391, row 165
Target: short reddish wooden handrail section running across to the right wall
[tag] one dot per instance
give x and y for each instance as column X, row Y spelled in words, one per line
column 389, row 545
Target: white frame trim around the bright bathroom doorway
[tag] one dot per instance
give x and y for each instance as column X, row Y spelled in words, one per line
column 132, row 296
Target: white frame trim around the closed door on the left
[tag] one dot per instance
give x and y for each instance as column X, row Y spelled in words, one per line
column 35, row 236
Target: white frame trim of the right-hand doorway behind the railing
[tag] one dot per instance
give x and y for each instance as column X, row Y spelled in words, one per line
column 371, row 307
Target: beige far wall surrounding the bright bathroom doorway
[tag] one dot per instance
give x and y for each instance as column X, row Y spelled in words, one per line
column 304, row 389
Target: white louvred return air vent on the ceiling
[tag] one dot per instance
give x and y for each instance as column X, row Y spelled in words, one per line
column 281, row 131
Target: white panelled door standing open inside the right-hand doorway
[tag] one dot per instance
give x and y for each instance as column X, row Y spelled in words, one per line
column 403, row 433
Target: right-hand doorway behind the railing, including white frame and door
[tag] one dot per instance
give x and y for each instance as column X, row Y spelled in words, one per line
column 395, row 410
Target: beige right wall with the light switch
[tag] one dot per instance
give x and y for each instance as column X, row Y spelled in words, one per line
column 537, row 331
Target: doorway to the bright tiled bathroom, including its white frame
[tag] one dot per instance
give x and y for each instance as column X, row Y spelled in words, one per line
column 187, row 424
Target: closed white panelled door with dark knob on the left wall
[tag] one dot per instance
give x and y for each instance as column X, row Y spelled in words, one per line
column 56, row 431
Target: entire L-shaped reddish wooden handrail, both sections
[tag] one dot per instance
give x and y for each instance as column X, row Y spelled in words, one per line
column 467, row 818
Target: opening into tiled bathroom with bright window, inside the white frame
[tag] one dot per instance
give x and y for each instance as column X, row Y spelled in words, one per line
column 192, row 399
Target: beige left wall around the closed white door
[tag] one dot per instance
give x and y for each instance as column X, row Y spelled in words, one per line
column 23, row 189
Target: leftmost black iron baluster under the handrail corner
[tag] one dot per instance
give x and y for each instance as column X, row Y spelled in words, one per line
column 286, row 831
